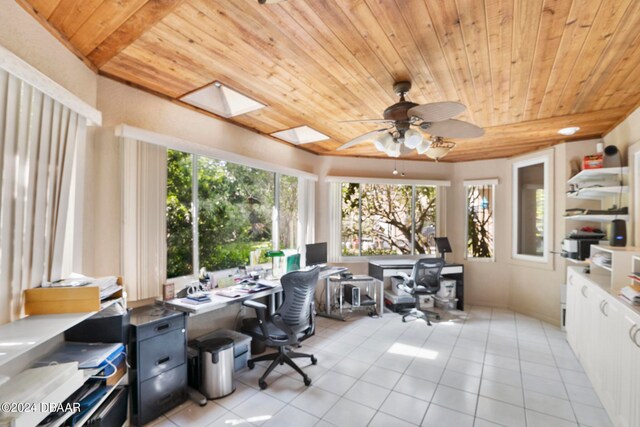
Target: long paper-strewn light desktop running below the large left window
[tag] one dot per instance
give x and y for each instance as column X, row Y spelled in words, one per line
column 218, row 301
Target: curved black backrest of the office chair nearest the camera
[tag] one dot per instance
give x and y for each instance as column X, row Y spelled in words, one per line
column 299, row 291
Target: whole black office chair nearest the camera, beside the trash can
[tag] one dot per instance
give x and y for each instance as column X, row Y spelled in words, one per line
column 293, row 322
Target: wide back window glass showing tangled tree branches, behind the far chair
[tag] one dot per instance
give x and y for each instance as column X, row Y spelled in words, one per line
column 388, row 219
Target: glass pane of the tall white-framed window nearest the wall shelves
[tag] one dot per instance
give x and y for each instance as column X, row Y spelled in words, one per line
column 530, row 205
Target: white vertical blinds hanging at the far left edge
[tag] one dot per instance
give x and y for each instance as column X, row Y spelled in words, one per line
column 38, row 140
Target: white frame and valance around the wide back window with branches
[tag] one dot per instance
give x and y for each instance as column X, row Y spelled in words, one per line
column 440, row 224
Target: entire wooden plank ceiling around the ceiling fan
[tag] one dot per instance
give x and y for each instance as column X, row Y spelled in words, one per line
column 524, row 68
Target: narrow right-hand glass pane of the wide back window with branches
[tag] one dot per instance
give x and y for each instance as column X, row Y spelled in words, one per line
column 425, row 216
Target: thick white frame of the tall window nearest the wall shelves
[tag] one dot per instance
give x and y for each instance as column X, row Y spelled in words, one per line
column 546, row 161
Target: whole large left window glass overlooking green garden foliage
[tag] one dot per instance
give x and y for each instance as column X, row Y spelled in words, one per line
column 219, row 212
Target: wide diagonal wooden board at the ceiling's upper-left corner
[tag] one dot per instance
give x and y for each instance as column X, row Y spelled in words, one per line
column 106, row 19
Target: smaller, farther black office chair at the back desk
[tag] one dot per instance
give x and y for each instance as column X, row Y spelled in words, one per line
column 424, row 280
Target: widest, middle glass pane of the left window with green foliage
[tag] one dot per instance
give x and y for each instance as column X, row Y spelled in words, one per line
column 235, row 213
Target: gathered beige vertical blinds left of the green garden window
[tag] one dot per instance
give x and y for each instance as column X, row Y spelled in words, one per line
column 144, row 244
